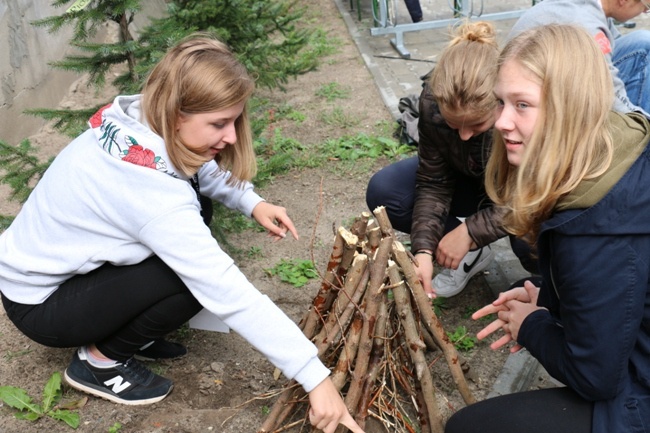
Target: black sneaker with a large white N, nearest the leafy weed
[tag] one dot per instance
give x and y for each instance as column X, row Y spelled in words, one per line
column 128, row 383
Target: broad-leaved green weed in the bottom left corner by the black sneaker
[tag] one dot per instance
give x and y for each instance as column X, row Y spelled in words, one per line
column 27, row 409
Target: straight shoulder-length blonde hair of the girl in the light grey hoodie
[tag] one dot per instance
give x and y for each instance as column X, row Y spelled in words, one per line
column 200, row 75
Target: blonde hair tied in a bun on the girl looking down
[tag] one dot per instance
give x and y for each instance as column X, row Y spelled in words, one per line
column 463, row 80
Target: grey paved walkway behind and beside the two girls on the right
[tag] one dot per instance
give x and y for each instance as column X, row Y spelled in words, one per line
column 397, row 75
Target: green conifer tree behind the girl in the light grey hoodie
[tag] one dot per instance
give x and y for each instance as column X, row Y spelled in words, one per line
column 262, row 34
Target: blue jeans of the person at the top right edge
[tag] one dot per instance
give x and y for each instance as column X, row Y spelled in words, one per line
column 631, row 58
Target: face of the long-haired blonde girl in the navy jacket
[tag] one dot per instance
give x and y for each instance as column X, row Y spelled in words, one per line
column 518, row 92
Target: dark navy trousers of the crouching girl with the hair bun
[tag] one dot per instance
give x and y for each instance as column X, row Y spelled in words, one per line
column 394, row 187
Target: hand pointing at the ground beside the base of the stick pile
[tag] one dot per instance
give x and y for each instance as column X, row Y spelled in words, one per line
column 328, row 410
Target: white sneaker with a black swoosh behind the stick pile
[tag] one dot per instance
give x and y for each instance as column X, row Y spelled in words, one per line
column 452, row 283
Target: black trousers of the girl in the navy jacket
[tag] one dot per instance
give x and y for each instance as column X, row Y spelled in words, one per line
column 556, row 410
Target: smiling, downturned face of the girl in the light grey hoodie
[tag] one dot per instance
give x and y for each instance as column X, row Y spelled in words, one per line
column 207, row 134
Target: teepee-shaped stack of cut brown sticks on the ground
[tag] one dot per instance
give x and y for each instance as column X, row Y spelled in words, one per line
column 372, row 324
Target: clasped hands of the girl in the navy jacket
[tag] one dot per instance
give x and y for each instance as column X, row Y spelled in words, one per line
column 511, row 308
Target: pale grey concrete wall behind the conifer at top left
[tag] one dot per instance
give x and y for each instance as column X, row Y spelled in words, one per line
column 26, row 80
